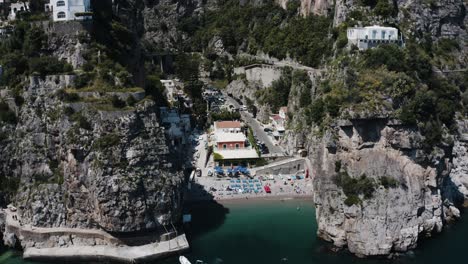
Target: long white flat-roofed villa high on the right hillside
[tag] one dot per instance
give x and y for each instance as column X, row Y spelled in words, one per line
column 369, row 37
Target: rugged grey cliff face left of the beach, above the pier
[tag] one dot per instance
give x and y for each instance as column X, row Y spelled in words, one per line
column 89, row 168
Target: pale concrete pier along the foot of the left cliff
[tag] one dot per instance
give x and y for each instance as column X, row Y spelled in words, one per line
column 45, row 244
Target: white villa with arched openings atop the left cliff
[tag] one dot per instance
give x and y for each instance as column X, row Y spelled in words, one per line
column 68, row 10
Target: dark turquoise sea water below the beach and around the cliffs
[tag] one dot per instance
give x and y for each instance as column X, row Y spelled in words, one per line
column 284, row 232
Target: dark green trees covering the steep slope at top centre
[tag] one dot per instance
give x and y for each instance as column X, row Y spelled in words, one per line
column 266, row 27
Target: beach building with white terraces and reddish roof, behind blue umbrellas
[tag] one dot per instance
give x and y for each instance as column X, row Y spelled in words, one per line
column 231, row 144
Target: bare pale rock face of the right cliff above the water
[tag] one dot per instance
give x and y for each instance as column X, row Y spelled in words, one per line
column 396, row 215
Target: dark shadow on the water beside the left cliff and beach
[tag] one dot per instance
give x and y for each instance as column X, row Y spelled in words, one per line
column 207, row 213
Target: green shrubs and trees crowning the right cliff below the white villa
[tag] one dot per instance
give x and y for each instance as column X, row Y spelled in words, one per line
column 394, row 81
